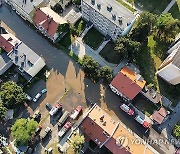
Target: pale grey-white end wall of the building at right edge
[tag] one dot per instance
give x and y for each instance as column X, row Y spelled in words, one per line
column 170, row 73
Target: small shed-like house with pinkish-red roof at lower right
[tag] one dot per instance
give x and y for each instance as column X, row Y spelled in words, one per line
column 160, row 115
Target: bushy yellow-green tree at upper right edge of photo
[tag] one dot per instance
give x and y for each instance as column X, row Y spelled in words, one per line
column 166, row 28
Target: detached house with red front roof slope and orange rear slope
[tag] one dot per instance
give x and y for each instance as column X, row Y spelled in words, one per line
column 127, row 84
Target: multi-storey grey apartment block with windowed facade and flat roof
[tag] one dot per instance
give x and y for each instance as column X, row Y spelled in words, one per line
column 108, row 17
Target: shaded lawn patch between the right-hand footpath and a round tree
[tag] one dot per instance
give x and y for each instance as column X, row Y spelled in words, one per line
column 109, row 54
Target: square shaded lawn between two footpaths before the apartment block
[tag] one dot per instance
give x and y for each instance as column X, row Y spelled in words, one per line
column 93, row 38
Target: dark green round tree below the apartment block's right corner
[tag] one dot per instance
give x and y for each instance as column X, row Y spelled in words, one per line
column 127, row 48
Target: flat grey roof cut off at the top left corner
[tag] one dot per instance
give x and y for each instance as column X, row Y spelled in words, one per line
column 27, row 5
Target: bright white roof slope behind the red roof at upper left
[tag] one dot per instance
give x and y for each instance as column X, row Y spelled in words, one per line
column 53, row 14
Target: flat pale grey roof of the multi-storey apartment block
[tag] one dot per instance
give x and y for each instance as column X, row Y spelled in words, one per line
column 113, row 11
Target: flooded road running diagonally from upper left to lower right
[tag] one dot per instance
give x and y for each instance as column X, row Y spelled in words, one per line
column 60, row 62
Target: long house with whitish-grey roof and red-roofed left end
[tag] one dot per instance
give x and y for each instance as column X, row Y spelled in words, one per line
column 27, row 61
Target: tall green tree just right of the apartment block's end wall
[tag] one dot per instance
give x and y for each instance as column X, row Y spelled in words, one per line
column 143, row 27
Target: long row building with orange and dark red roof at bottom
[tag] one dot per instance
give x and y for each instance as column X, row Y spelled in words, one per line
column 101, row 129
